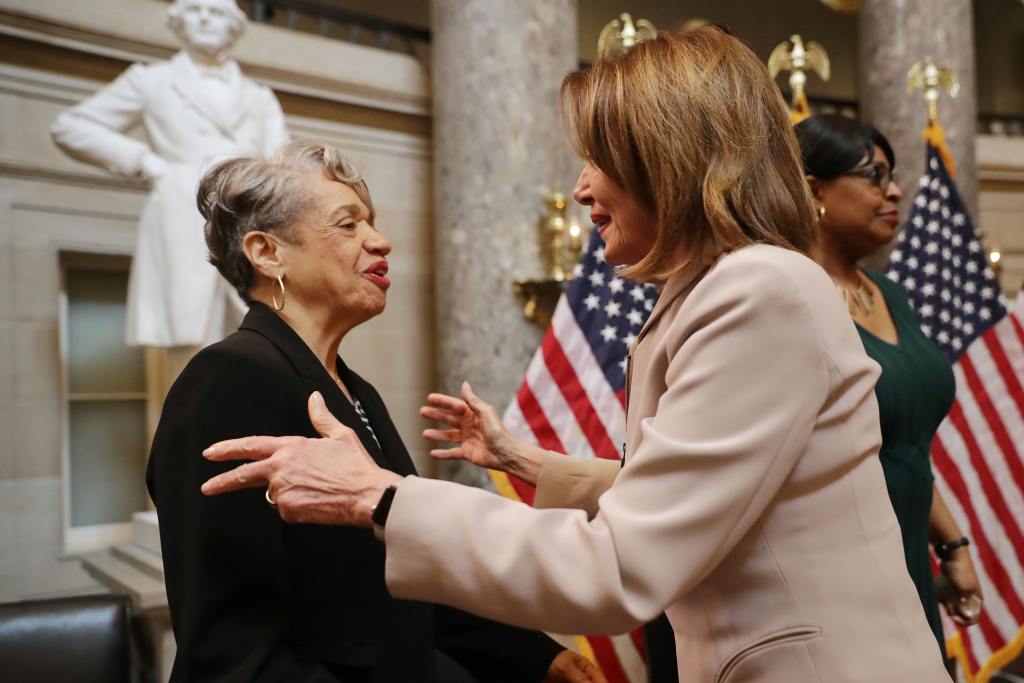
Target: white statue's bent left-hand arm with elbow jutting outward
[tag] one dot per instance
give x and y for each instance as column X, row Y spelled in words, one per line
column 94, row 132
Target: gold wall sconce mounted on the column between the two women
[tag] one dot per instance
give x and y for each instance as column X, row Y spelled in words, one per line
column 561, row 240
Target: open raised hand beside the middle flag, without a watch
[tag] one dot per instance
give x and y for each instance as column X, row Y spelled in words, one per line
column 480, row 436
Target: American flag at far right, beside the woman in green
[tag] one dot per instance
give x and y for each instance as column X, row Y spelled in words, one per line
column 978, row 453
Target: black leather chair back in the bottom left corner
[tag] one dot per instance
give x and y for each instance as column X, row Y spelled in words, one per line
column 86, row 639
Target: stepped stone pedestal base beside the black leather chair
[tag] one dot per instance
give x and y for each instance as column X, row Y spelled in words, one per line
column 138, row 570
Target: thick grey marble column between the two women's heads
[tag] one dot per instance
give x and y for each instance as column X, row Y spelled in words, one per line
column 499, row 148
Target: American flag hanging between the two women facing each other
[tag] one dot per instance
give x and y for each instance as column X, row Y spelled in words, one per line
column 573, row 401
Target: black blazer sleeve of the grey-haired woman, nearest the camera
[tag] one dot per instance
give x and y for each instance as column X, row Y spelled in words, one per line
column 225, row 557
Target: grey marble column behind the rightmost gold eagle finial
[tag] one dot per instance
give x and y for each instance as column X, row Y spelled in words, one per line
column 895, row 35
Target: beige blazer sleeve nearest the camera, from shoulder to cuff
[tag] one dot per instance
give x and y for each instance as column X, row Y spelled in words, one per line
column 711, row 460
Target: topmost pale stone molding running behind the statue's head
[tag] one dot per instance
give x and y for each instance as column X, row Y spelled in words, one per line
column 286, row 61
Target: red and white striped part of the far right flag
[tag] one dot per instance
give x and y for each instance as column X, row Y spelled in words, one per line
column 978, row 457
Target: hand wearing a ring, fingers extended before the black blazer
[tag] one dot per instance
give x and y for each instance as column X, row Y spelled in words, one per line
column 330, row 481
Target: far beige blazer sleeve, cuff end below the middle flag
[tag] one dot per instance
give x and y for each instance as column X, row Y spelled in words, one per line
column 572, row 483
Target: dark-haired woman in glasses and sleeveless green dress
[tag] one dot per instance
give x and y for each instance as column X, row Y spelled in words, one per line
column 849, row 166
